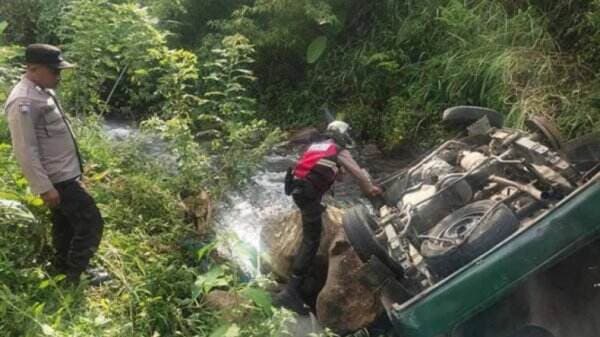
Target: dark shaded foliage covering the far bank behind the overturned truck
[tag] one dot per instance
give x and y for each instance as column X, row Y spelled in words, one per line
column 391, row 67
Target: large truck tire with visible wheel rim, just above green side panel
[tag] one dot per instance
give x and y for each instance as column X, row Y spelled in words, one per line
column 474, row 236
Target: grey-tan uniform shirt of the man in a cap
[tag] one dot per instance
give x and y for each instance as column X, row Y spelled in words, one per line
column 41, row 137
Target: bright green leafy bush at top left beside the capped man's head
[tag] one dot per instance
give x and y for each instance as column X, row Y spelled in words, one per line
column 125, row 66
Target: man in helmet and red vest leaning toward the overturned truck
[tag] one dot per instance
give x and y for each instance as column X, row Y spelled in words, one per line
column 314, row 174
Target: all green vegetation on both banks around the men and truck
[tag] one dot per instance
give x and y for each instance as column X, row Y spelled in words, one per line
column 211, row 81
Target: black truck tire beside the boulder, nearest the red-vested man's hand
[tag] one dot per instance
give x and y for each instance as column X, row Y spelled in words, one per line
column 358, row 225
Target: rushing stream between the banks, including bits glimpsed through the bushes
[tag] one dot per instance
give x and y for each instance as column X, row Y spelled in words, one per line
column 241, row 215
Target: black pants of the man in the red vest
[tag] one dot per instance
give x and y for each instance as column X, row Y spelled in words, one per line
column 308, row 199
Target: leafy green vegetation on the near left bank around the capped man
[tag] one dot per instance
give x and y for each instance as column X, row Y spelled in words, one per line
column 163, row 267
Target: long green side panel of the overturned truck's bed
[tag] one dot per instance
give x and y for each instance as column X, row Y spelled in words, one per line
column 438, row 310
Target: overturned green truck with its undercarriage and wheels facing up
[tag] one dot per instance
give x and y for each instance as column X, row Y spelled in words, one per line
column 493, row 233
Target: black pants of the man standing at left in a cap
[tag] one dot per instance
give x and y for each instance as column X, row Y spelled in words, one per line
column 77, row 228
